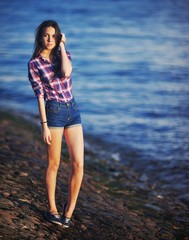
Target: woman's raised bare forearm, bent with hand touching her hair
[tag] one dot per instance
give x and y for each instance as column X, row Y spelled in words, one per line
column 66, row 66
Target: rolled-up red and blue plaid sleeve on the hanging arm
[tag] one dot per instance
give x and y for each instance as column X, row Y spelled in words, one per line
column 34, row 78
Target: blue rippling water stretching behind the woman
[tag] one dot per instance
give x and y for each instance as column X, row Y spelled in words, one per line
column 131, row 74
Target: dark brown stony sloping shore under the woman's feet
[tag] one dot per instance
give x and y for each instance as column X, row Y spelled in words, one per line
column 110, row 205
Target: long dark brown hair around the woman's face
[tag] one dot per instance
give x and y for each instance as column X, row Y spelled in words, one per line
column 38, row 36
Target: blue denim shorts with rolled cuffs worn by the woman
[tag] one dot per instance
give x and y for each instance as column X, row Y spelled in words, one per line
column 62, row 115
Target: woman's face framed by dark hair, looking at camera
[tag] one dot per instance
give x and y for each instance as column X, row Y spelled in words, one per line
column 49, row 38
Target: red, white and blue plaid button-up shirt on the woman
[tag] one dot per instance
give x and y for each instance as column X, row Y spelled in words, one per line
column 47, row 80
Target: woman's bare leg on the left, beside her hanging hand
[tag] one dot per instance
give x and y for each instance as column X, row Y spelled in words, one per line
column 53, row 153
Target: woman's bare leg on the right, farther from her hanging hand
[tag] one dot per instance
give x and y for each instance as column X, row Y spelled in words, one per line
column 74, row 139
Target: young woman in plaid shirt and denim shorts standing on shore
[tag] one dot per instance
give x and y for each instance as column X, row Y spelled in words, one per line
column 50, row 71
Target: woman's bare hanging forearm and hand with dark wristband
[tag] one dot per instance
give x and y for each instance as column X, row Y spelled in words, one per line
column 46, row 132
